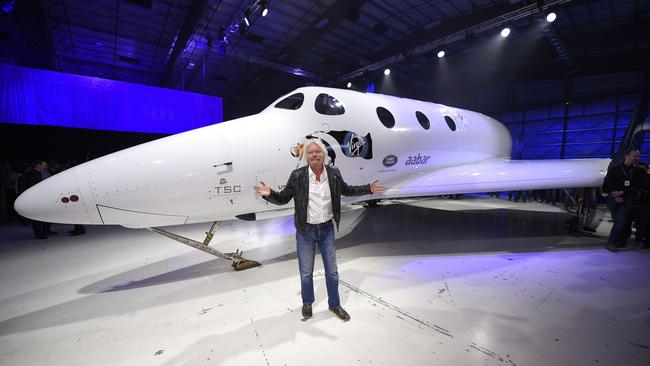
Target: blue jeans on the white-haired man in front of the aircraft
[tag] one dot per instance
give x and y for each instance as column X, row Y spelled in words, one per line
column 322, row 236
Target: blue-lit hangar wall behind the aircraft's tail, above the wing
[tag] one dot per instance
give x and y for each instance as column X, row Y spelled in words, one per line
column 578, row 117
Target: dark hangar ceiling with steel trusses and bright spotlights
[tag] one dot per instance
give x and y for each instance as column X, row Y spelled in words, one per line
column 202, row 45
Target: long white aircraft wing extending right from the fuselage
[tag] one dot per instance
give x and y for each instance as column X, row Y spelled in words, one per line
column 500, row 175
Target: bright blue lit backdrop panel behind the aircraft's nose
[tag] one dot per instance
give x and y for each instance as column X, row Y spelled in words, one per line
column 38, row 97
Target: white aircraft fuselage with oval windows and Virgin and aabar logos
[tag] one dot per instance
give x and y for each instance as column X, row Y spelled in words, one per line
column 208, row 174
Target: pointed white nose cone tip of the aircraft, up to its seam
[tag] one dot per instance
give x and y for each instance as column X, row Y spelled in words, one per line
column 60, row 198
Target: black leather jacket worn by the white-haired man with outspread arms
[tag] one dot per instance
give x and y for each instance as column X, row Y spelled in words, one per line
column 298, row 188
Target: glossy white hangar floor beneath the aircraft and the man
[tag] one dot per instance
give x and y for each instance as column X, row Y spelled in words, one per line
column 434, row 282
